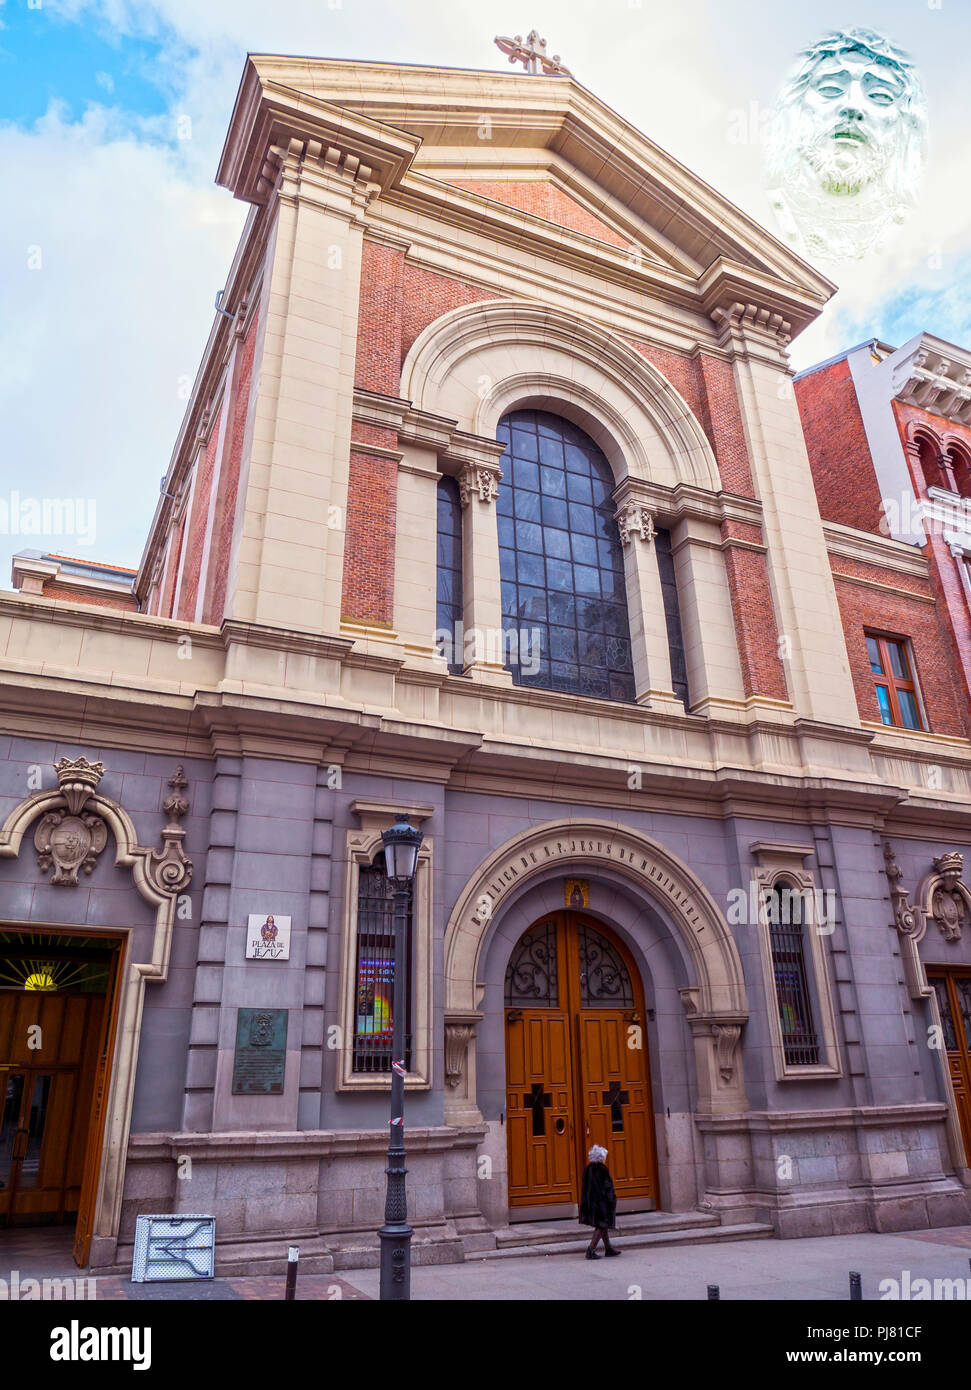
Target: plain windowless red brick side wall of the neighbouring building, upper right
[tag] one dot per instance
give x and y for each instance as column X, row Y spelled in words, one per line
column 840, row 455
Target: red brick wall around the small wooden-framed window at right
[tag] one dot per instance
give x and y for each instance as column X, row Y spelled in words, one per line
column 938, row 673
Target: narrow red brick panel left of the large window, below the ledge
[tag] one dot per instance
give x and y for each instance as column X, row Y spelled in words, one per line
column 369, row 583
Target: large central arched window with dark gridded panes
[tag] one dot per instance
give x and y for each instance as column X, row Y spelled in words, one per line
column 565, row 598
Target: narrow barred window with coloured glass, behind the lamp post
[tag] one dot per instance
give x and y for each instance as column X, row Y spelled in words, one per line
column 376, row 972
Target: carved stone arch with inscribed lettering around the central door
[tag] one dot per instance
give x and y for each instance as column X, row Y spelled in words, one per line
column 716, row 1003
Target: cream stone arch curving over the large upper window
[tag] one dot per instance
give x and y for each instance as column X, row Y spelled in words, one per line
column 479, row 362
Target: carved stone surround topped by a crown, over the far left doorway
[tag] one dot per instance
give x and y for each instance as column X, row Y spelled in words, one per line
column 160, row 876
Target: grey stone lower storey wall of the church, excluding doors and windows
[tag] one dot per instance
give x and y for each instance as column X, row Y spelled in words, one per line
column 868, row 1149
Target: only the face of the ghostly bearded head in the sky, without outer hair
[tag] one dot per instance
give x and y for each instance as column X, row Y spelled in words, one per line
column 849, row 122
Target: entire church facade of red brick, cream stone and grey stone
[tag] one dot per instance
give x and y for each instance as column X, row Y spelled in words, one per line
column 492, row 505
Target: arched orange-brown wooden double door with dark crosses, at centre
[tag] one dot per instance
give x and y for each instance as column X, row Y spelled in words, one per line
column 577, row 1070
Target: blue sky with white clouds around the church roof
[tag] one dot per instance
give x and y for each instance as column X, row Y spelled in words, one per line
column 116, row 240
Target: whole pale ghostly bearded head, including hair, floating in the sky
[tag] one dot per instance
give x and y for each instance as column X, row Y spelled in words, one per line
column 847, row 145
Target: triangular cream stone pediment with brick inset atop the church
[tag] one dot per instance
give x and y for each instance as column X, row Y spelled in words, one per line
column 429, row 138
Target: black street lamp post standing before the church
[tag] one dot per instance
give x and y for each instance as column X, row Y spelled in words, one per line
column 402, row 844
